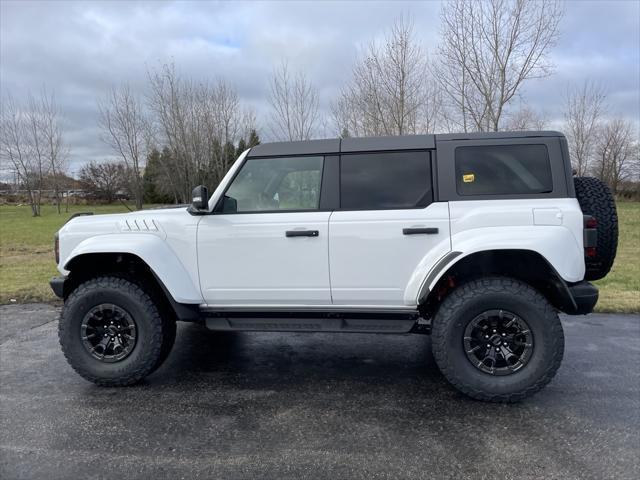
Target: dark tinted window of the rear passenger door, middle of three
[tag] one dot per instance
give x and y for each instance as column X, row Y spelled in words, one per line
column 385, row 180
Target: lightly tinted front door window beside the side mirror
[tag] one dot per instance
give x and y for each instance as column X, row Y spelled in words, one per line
column 268, row 184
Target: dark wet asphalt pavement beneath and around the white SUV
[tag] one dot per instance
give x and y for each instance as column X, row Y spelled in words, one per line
column 279, row 406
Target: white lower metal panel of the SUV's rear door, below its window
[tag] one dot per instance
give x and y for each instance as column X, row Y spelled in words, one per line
column 372, row 262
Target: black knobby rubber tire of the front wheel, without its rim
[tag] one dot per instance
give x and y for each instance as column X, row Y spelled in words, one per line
column 153, row 339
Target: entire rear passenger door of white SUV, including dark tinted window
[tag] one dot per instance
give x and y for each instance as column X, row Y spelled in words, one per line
column 387, row 228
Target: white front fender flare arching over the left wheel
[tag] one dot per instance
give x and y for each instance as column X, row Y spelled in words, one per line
column 154, row 251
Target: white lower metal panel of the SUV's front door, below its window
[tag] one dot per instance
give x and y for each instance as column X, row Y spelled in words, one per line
column 246, row 259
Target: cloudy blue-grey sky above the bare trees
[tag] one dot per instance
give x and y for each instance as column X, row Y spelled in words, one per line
column 79, row 49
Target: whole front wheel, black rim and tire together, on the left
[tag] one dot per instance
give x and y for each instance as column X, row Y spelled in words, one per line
column 112, row 333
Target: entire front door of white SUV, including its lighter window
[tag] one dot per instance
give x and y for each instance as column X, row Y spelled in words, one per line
column 268, row 244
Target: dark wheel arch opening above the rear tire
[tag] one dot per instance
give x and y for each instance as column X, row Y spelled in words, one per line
column 525, row 265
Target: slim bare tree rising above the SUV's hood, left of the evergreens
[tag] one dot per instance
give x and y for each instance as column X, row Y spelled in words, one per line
column 125, row 130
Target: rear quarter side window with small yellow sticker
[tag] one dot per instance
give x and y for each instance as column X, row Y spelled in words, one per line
column 503, row 170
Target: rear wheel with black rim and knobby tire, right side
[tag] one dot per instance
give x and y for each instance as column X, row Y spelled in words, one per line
column 497, row 339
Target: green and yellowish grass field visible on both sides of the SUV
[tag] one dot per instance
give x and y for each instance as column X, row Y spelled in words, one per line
column 27, row 263
